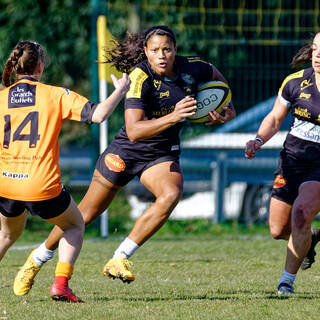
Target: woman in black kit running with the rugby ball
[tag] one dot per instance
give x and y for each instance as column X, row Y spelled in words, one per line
column 161, row 96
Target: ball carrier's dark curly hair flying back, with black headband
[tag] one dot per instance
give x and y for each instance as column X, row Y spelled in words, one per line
column 126, row 54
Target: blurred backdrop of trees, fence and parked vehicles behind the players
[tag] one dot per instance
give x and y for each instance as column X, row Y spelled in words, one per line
column 252, row 42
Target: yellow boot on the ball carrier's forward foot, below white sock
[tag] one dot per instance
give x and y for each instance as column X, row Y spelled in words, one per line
column 118, row 268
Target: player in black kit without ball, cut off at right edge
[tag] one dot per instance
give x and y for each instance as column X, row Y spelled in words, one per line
column 295, row 197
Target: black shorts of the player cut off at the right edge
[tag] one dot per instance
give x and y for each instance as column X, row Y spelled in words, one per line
column 290, row 174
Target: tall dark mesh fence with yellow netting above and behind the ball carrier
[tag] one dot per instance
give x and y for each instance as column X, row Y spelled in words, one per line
column 251, row 42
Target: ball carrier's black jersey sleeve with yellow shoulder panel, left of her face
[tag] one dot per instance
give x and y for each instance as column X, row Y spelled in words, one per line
column 136, row 97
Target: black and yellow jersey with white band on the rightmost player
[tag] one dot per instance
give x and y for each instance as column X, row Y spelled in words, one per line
column 300, row 93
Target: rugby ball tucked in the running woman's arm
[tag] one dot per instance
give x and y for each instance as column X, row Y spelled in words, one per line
column 212, row 95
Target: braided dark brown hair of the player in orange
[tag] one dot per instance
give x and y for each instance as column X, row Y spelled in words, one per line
column 23, row 60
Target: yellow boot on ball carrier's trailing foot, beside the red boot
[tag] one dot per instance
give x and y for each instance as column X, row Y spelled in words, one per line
column 25, row 276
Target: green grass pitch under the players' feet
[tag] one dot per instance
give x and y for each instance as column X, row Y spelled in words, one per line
column 184, row 277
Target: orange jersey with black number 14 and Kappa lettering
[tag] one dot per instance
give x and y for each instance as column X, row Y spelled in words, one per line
column 31, row 116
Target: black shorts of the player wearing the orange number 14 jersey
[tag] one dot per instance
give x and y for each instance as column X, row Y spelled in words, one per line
column 45, row 209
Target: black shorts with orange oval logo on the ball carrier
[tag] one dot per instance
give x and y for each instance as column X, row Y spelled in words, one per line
column 118, row 167
